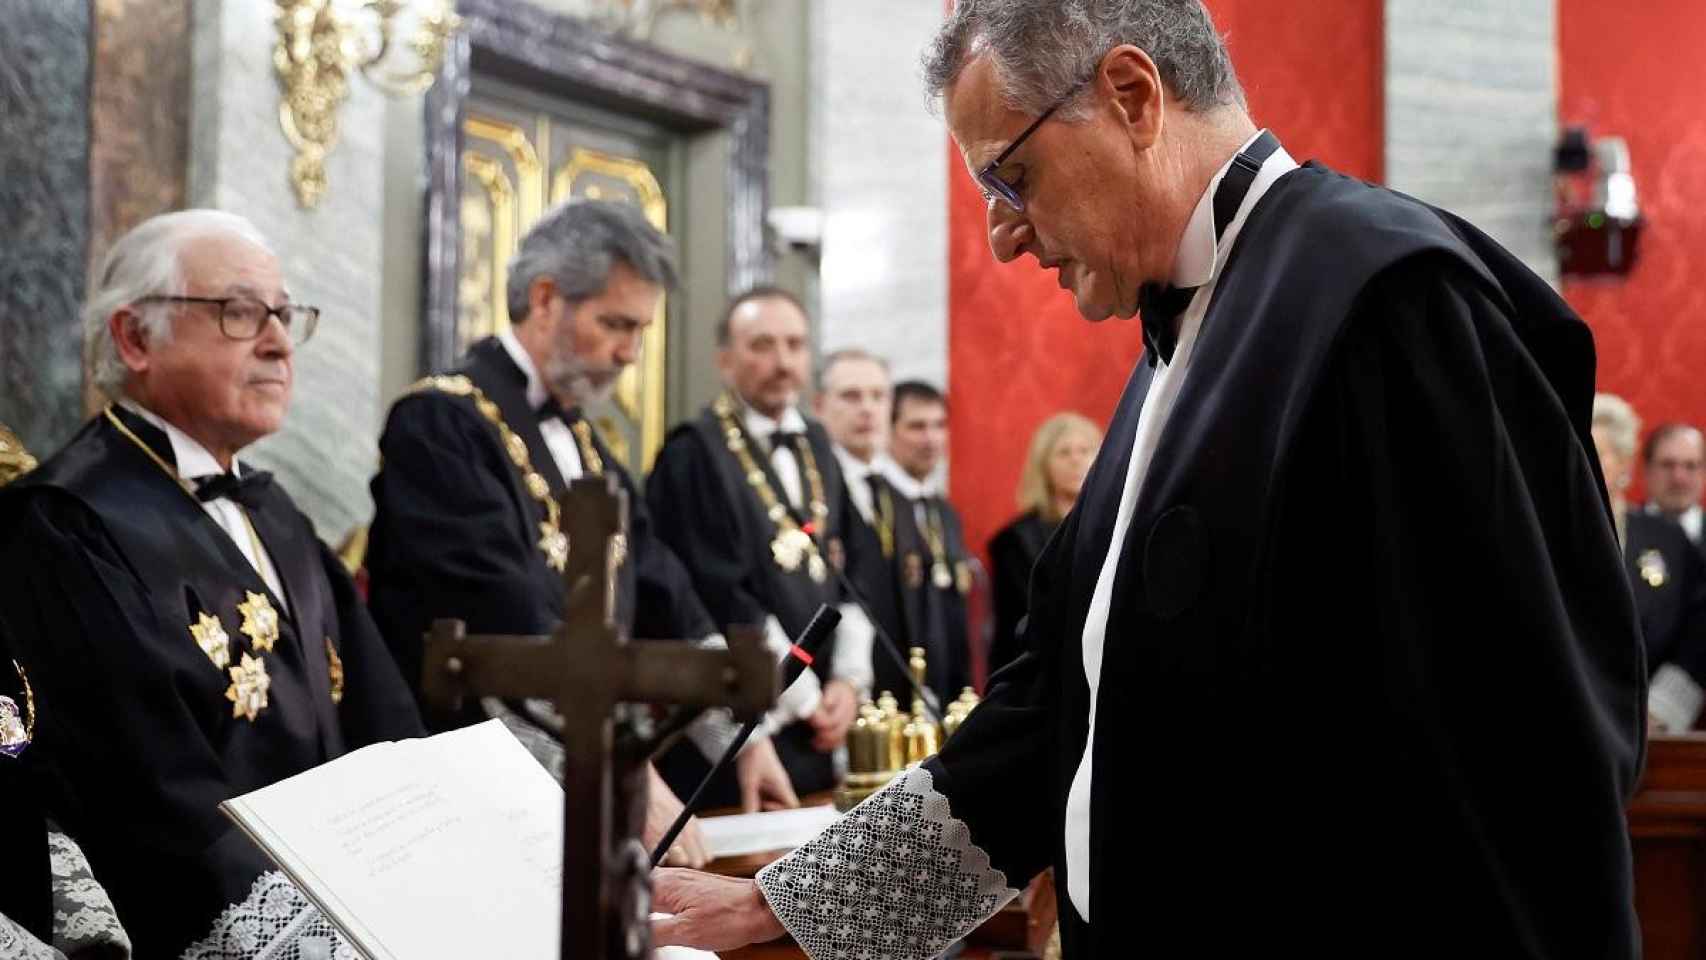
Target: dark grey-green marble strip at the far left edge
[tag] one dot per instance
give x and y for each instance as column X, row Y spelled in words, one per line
column 45, row 216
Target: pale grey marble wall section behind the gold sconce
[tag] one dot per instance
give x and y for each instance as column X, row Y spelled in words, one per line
column 334, row 255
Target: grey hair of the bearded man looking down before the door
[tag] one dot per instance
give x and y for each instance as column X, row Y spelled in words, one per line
column 579, row 245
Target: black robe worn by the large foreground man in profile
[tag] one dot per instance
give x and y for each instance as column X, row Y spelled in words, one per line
column 1371, row 550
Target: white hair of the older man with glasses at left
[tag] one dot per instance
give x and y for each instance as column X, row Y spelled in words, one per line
column 146, row 263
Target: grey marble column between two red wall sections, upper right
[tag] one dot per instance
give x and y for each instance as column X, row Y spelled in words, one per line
column 1471, row 115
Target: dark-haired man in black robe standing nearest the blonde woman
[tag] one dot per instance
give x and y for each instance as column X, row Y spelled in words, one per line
column 939, row 582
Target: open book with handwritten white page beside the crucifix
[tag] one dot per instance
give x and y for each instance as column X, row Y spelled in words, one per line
column 446, row 847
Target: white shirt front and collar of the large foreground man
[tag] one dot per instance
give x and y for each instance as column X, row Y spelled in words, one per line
column 1198, row 265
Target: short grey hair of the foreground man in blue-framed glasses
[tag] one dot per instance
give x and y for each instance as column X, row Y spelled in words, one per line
column 1043, row 49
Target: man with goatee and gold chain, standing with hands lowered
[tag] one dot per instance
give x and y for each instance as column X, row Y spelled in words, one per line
column 751, row 499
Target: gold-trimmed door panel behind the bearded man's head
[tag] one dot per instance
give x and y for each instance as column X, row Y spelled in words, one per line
column 525, row 154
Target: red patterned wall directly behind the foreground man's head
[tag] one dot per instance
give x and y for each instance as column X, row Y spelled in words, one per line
column 1018, row 349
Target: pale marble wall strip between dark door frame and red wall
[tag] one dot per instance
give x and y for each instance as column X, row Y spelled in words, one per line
column 879, row 171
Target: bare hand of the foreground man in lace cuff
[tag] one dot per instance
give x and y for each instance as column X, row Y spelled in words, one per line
column 711, row 913
